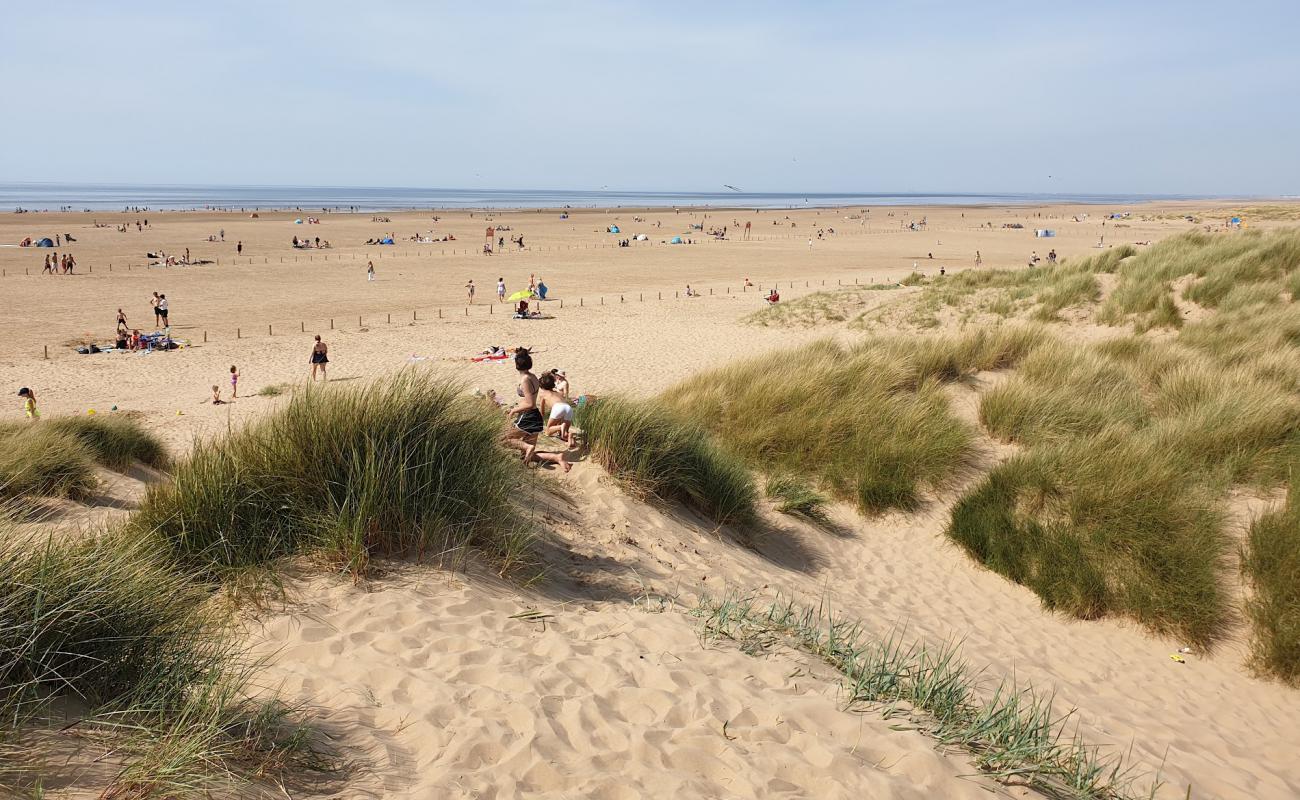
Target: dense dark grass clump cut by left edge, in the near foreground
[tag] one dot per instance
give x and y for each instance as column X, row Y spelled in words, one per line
column 101, row 621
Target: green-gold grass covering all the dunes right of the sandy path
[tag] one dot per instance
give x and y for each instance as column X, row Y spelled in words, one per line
column 1126, row 449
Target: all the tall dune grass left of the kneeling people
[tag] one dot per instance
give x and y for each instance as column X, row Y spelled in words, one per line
column 128, row 625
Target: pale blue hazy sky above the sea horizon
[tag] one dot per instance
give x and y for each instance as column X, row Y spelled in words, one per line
column 925, row 96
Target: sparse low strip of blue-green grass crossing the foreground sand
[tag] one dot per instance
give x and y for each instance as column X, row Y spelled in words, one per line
column 1012, row 733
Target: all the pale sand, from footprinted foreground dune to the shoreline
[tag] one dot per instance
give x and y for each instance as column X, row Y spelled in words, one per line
column 440, row 684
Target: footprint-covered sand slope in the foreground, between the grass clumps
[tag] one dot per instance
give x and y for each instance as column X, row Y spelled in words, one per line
column 440, row 690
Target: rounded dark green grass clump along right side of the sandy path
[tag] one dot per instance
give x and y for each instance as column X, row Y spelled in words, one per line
column 1104, row 526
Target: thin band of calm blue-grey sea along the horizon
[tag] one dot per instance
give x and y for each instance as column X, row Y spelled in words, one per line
column 107, row 197
